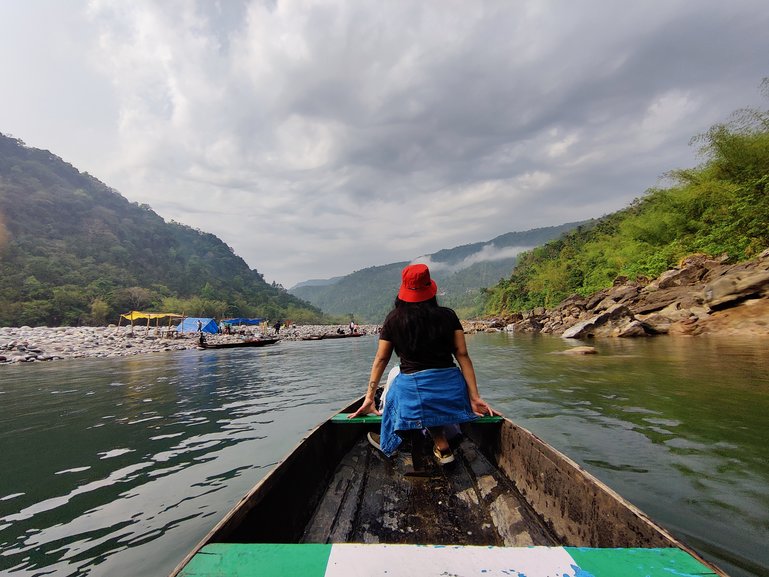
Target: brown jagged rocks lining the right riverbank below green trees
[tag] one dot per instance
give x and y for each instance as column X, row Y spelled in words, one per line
column 702, row 296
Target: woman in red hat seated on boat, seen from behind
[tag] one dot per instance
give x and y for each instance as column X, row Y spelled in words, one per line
column 430, row 391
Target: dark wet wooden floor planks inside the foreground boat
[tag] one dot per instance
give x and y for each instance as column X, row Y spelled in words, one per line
column 373, row 499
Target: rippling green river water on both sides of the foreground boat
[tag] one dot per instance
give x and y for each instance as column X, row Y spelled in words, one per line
column 119, row 466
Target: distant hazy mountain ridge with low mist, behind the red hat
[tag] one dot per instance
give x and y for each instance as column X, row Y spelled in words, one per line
column 460, row 272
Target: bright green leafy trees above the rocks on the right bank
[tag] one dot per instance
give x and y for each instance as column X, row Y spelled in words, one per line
column 718, row 208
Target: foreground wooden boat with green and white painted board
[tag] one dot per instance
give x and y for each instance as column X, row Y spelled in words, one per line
column 510, row 504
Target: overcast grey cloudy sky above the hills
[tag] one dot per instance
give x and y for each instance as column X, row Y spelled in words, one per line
column 317, row 138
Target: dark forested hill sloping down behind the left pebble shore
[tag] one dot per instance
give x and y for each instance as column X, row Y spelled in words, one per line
column 74, row 251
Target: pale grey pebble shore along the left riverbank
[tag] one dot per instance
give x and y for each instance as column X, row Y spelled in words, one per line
column 36, row 344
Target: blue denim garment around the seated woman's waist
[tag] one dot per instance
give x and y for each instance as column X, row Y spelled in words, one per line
column 424, row 399
